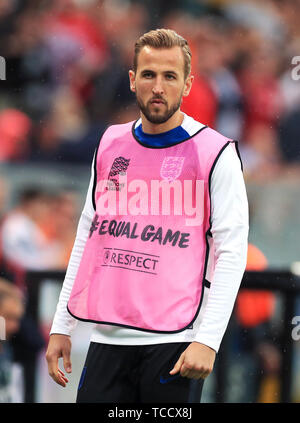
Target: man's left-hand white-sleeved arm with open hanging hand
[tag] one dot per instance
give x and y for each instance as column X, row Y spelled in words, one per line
column 63, row 323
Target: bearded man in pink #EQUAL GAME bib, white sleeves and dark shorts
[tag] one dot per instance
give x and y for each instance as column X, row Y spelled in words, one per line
column 157, row 274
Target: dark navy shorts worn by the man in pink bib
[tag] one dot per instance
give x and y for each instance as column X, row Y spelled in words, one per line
column 135, row 373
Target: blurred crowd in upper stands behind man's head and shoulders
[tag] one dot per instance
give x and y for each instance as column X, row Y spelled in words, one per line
column 67, row 74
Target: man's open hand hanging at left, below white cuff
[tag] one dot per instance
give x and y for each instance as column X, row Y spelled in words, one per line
column 59, row 346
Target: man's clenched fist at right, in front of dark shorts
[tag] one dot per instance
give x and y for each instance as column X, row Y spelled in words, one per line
column 195, row 362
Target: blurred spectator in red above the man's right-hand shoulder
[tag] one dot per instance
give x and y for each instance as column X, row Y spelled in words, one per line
column 263, row 106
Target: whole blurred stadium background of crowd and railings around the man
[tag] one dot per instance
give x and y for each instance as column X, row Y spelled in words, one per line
column 67, row 67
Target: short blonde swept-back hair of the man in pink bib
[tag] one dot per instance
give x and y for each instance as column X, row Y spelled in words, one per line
column 164, row 38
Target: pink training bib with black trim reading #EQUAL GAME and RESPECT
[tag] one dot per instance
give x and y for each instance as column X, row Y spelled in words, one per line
column 145, row 259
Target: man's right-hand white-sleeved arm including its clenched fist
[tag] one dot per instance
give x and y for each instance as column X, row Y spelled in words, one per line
column 230, row 234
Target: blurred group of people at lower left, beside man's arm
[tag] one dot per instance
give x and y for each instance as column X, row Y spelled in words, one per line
column 36, row 234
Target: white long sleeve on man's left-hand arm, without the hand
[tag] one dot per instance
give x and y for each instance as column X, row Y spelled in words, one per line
column 63, row 322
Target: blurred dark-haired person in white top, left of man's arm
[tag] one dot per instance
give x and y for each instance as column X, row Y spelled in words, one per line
column 36, row 235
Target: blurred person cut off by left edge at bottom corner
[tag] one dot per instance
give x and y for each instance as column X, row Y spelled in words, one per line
column 11, row 312
